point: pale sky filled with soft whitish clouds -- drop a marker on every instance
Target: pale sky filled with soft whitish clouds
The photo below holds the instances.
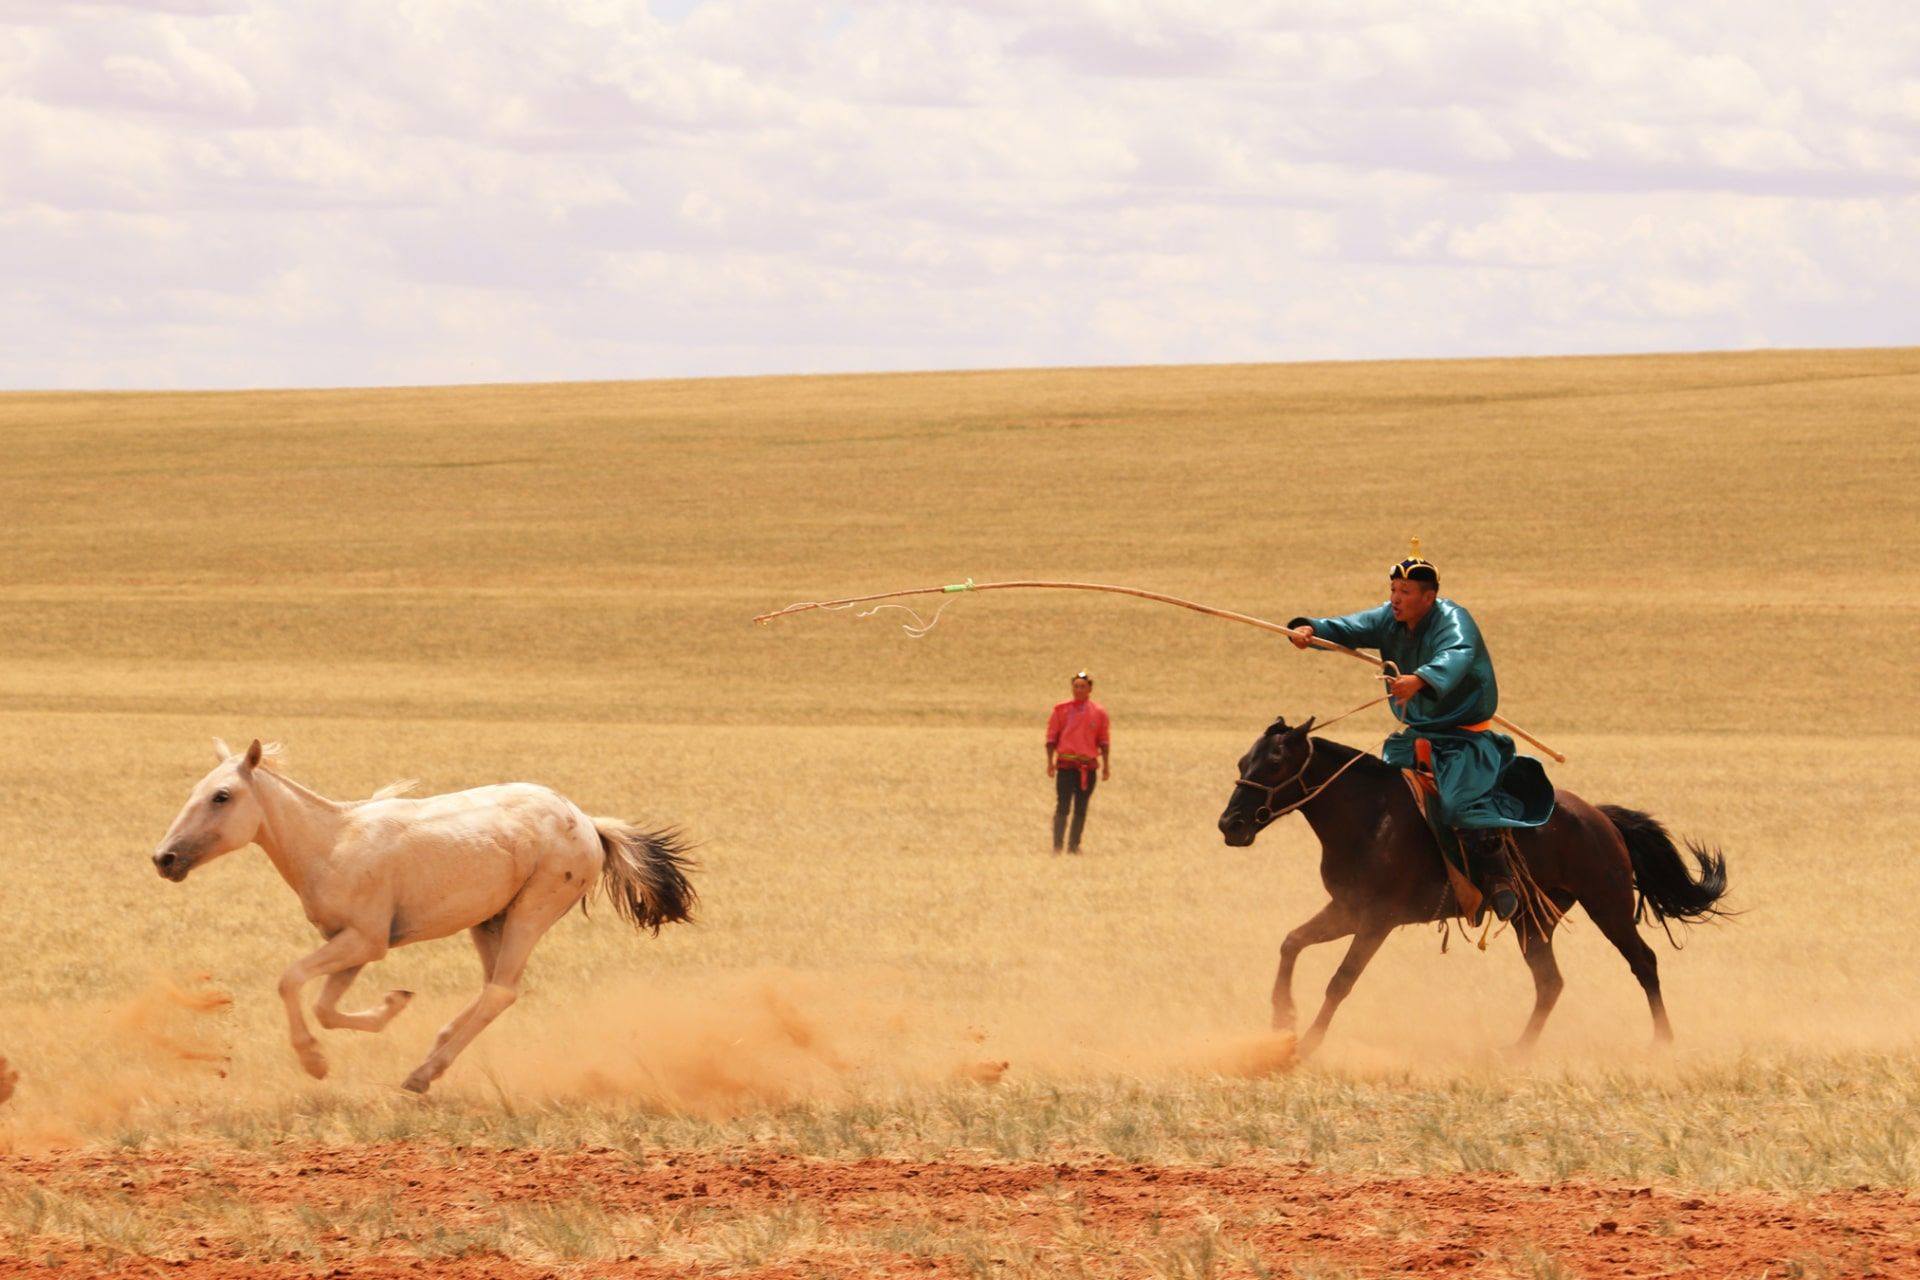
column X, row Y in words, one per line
column 370, row 193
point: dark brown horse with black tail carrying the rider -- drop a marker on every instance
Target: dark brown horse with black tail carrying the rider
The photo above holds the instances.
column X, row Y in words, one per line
column 1381, row 866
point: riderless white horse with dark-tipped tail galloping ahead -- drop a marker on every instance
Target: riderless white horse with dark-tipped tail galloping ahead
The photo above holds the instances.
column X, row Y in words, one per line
column 502, row 863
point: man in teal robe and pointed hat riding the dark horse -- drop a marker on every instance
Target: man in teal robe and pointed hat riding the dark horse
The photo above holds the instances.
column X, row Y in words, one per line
column 1441, row 684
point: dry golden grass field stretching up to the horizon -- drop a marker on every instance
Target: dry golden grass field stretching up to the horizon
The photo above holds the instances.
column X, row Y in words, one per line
column 1691, row 571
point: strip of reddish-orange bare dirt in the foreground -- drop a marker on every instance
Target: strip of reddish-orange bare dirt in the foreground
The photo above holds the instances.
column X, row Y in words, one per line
column 1464, row 1225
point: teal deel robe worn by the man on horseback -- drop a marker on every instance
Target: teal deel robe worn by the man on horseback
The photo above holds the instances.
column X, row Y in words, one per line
column 1483, row 782
